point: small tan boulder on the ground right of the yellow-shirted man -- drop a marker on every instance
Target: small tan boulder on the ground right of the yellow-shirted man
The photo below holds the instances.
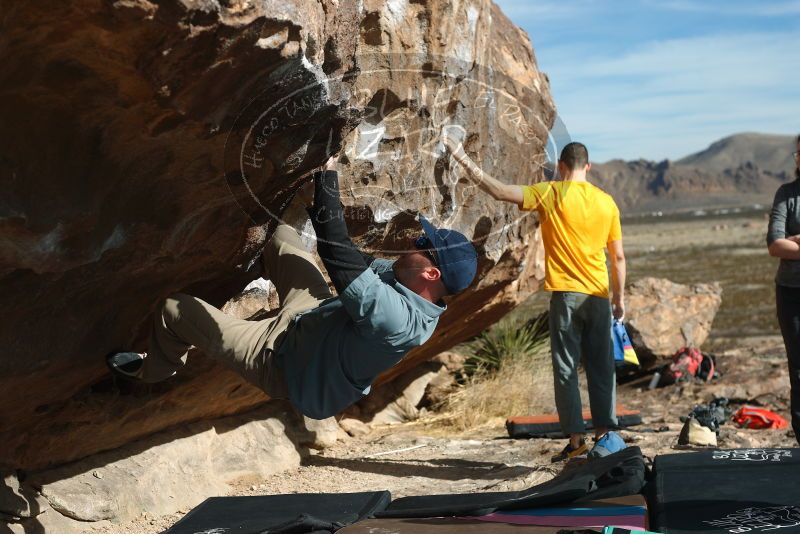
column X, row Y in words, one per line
column 662, row 316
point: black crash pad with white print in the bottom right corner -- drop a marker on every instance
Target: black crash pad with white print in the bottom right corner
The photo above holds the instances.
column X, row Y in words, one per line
column 726, row 491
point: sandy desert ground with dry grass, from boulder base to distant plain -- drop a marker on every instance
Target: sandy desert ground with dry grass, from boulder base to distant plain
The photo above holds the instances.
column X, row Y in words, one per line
column 436, row 454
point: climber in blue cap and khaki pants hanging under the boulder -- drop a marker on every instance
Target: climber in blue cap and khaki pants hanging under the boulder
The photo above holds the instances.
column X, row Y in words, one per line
column 320, row 351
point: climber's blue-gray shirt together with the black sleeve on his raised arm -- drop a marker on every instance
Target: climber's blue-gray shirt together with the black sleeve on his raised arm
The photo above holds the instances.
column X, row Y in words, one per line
column 332, row 354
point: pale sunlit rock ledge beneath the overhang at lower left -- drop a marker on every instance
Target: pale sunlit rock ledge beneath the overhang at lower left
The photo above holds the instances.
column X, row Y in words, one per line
column 169, row 471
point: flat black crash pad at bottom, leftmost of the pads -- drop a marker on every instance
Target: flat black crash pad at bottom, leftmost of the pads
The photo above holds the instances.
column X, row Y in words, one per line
column 290, row 514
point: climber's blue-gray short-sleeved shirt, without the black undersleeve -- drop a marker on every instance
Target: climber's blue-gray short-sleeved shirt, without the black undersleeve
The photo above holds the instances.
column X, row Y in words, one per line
column 333, row 353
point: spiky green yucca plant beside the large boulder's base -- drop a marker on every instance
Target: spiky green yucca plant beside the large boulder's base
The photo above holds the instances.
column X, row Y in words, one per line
column 507, row 340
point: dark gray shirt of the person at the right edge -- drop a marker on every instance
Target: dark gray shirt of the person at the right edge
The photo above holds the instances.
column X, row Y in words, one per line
column 784, row 221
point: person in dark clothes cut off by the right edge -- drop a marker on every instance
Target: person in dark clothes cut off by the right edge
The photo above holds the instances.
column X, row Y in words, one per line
column 783, row 241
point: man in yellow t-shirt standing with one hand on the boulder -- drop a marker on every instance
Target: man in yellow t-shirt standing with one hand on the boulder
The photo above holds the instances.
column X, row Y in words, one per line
column 578, row 222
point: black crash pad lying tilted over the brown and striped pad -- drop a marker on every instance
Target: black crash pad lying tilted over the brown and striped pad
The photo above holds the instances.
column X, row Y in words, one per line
column 617, row 475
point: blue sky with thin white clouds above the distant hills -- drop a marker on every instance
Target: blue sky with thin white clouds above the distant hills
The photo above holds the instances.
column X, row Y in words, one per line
column 664, row 78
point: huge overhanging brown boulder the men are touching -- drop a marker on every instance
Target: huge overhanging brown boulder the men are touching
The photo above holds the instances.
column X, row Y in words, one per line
column 147, row 148
